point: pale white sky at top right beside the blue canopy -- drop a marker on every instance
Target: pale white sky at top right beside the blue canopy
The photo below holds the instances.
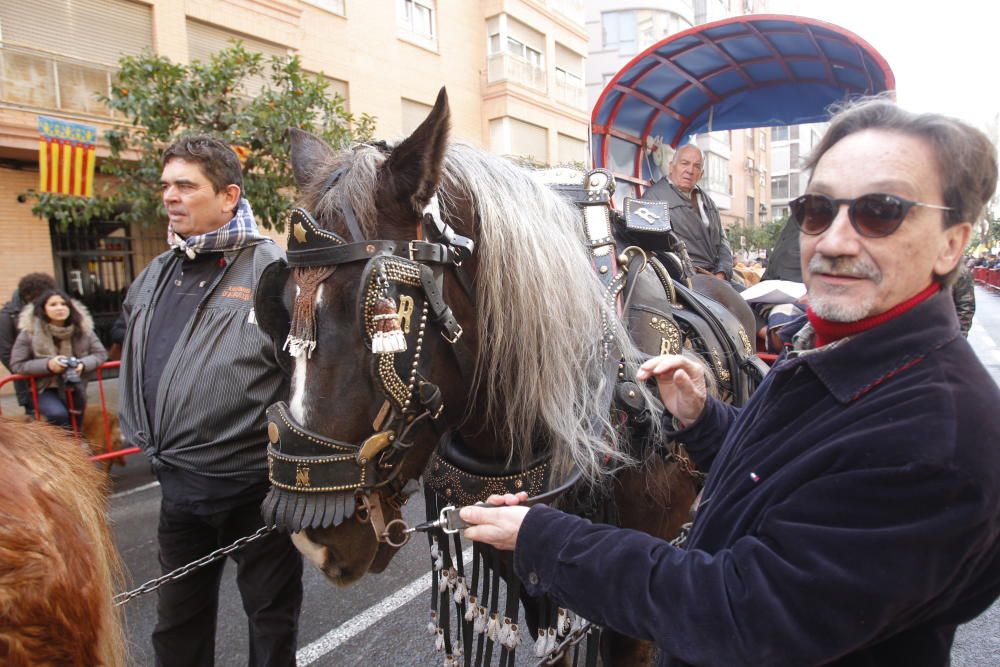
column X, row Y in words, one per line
column 945, row 55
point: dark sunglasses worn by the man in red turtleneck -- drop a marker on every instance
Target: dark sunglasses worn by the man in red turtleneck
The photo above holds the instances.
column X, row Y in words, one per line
column 872, row 215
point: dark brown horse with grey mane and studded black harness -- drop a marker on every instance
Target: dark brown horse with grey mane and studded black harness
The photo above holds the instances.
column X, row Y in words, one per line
column 460, row 330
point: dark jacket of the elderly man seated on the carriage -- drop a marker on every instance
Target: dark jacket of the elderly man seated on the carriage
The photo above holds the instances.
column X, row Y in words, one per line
column 706, row 244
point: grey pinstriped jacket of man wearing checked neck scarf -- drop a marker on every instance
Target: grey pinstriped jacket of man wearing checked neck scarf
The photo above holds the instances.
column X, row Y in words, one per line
column 218, row 381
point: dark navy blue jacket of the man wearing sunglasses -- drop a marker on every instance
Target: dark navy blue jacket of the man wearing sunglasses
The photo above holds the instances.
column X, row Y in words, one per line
column 851, row 515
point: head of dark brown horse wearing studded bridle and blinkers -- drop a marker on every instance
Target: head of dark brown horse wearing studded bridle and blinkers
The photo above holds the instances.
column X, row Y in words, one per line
column 376, row 314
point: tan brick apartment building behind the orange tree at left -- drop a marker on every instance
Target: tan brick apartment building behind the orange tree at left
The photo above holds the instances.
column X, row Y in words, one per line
column 513, row 69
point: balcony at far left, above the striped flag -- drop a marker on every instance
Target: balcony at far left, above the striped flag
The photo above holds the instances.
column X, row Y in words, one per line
column 33, row 78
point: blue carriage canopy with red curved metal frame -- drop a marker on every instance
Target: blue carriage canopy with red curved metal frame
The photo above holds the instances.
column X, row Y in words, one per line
column 748, row 71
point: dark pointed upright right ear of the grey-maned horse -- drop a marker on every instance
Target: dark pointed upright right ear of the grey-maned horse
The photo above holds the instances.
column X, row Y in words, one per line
column 414, row 167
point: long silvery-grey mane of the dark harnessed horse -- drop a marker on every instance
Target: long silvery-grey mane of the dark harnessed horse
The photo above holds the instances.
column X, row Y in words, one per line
column 542, row 325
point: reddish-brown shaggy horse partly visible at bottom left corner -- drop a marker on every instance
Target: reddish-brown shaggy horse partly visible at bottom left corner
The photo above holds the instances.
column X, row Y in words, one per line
column 58, row 563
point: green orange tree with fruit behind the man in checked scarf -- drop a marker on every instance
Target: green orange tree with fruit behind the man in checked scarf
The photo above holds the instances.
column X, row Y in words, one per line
column 238, row 96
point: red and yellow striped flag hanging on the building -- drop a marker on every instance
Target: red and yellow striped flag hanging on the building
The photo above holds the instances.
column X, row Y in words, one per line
column 66, row 152
